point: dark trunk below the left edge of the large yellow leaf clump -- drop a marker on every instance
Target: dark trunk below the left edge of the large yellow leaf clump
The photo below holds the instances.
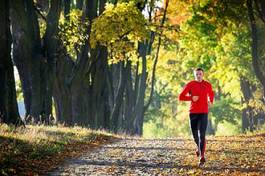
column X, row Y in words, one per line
column 99, row 71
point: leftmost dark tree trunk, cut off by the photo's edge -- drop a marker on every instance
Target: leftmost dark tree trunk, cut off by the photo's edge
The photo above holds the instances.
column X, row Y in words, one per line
column 8, row 102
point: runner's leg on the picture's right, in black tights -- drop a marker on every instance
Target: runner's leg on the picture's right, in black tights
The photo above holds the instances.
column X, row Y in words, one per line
column 202, row 130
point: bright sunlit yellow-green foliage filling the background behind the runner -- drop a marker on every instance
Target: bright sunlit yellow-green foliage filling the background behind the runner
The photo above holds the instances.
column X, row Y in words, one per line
column 212, row 36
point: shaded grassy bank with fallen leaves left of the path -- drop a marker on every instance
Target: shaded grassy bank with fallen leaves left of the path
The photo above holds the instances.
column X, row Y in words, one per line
column 35, row 150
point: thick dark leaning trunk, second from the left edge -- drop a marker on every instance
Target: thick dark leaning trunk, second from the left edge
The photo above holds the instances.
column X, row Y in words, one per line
column 27, row 55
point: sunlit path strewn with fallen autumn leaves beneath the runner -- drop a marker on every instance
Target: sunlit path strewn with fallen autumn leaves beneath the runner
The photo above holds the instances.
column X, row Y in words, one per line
column 241, row 155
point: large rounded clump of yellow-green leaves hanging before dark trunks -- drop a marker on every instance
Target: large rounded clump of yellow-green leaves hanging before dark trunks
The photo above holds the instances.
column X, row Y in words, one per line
column 124, row 26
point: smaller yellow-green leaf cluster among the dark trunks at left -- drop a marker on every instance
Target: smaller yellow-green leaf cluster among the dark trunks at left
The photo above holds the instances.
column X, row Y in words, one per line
column 73, row 33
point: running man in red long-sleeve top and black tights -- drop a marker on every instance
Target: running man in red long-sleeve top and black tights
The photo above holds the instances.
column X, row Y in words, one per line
column 201, row 95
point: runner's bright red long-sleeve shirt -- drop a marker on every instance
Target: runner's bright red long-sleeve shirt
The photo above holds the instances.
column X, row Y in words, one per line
column 202, row 89
